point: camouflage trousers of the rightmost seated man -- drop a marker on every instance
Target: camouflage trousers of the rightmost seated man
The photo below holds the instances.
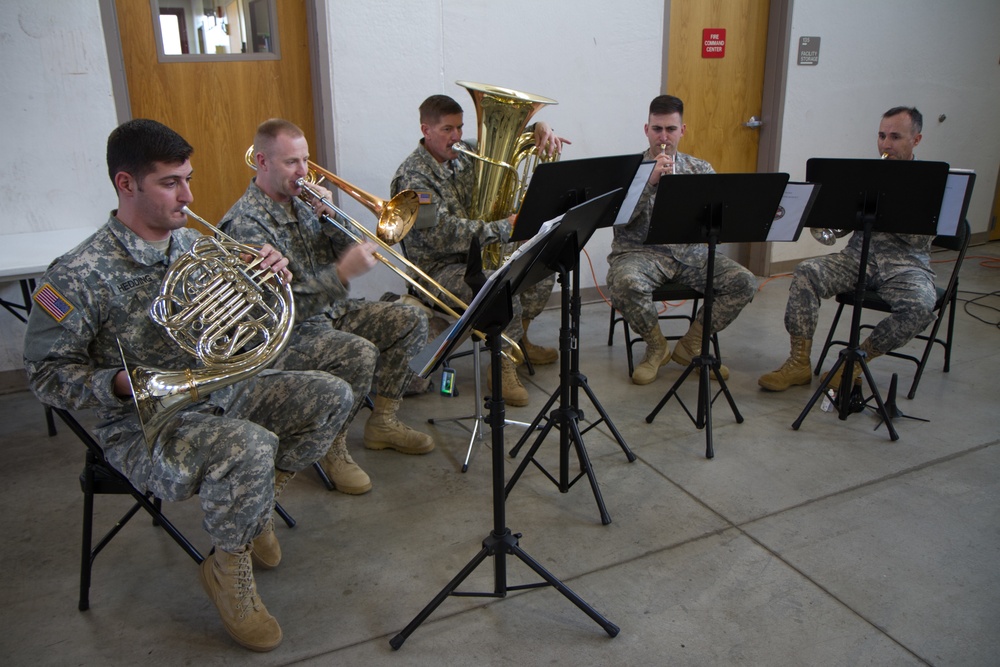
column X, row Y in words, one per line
column 909, row 290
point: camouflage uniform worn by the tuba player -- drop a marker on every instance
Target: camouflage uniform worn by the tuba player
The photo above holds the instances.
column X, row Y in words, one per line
column 441, row 250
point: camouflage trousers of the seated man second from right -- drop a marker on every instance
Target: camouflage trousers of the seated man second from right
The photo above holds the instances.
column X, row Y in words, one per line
column 632, row 277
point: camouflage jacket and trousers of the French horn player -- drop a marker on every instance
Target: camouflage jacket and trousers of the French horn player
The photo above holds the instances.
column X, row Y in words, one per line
column 99, row 293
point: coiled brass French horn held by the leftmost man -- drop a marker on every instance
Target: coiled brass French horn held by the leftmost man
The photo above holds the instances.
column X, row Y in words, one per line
column 233, row 316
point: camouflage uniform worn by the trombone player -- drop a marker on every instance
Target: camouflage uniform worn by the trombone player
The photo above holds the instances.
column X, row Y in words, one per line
column 346, row 337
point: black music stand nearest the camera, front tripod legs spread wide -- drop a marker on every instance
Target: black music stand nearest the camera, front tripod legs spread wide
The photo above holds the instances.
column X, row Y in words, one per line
column 491, row 311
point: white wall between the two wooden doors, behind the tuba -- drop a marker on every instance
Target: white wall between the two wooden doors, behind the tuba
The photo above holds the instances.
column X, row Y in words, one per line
column 600, row 61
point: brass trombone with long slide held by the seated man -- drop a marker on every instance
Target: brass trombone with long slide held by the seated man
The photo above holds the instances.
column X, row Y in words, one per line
column 395, row 219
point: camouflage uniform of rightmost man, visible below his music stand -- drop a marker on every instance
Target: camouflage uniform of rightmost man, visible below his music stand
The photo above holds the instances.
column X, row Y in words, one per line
column 898, row 270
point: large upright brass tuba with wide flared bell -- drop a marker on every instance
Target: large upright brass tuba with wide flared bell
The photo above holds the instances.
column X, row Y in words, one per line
column 506, row 155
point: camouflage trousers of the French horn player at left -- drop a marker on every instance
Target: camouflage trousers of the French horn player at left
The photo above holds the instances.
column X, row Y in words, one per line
column 226, row 449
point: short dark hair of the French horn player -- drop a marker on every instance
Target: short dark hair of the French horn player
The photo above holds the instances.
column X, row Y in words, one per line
column 137, row 145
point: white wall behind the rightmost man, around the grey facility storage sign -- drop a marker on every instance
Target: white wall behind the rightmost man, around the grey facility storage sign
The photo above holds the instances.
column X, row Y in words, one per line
column 940, row 57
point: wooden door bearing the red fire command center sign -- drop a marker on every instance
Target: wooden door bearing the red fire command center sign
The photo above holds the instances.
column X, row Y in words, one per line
column 719, row 94
